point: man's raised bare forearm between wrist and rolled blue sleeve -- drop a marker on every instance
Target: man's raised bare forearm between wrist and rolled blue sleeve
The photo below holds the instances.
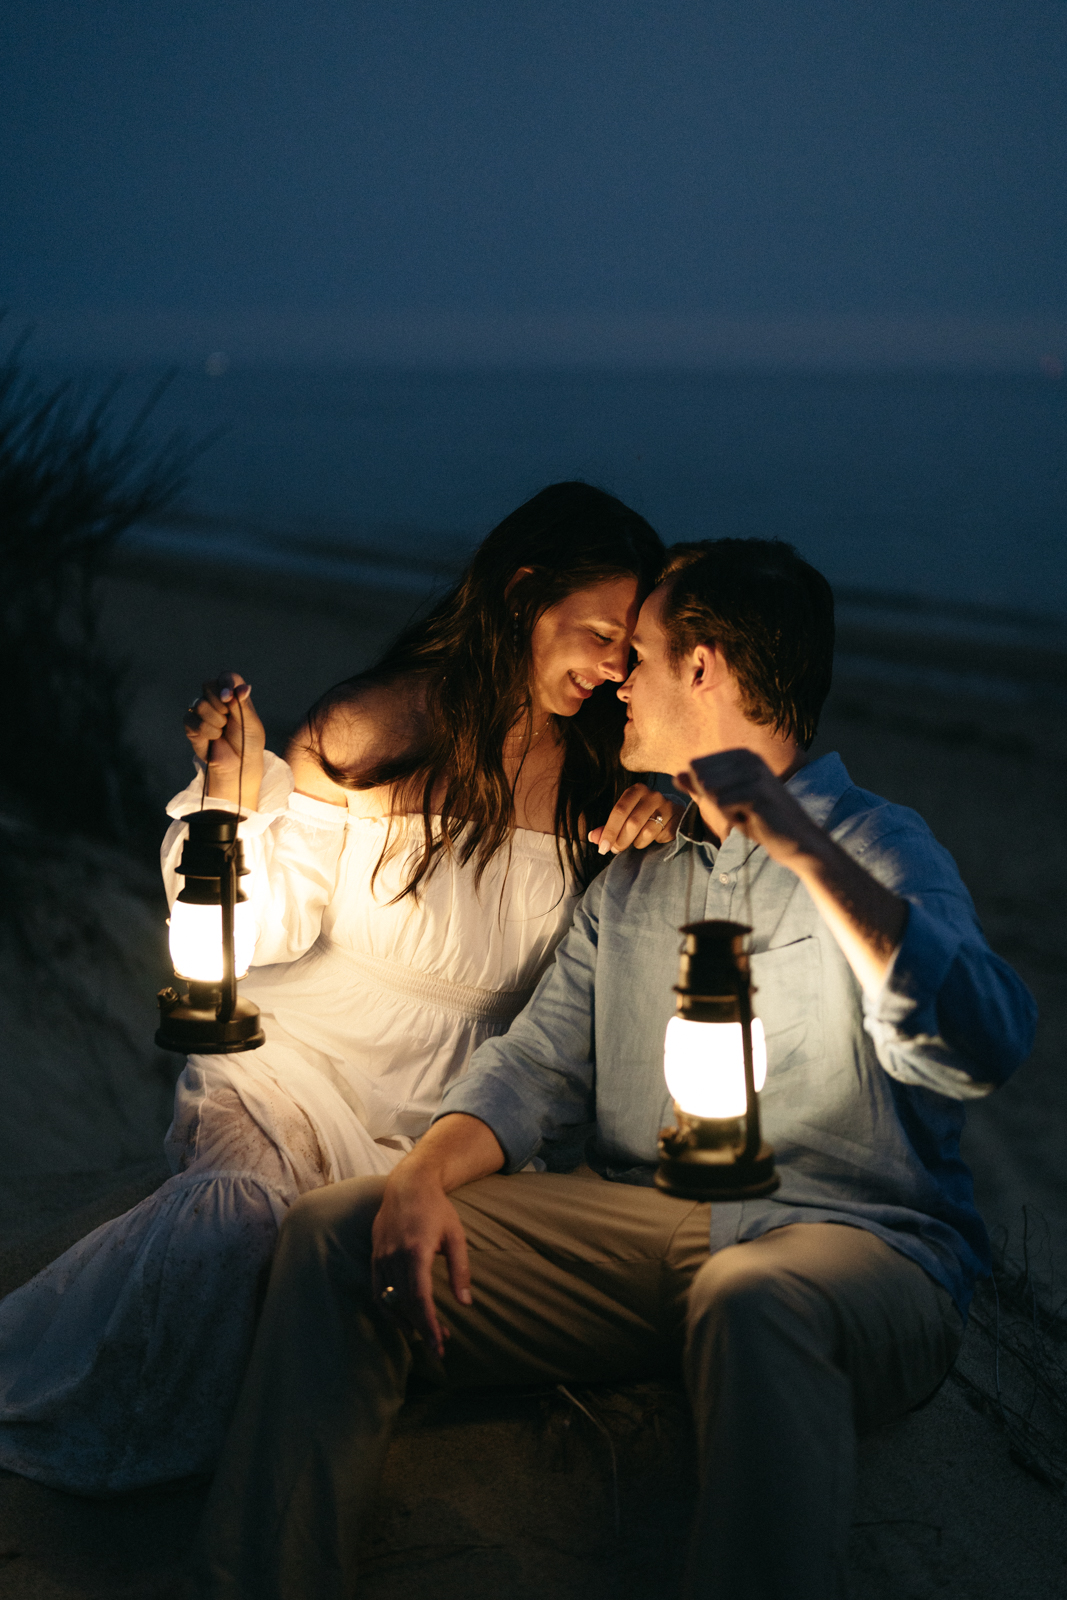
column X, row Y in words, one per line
column 866, row 919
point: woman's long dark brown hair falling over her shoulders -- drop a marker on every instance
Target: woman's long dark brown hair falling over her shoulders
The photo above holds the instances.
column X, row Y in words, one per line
column 474, row 655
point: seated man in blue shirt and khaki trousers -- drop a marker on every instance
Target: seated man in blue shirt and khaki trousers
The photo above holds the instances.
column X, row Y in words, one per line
column 834, row 1305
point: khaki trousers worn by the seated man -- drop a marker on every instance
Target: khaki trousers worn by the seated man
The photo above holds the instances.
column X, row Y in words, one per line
column 788, row 1343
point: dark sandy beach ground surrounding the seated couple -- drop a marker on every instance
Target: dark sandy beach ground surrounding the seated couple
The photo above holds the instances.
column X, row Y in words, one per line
column 518, row 1495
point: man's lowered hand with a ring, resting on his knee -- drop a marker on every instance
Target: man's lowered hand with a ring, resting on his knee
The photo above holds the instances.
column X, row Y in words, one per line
column 418, row 1222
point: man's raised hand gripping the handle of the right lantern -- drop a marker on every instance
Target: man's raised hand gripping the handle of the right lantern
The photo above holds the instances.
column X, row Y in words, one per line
column 746, row 793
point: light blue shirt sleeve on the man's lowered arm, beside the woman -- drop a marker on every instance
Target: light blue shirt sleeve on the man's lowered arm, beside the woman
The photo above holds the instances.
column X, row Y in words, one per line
column 537, row 1084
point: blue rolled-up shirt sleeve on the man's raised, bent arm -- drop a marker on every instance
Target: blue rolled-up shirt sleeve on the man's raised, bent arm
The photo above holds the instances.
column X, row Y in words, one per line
column 951, row 1017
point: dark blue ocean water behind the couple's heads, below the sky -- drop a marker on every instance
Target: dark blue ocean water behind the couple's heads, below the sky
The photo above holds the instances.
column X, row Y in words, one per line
column 948, row 492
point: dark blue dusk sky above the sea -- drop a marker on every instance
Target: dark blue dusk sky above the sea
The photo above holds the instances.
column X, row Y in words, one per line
column 852, row 180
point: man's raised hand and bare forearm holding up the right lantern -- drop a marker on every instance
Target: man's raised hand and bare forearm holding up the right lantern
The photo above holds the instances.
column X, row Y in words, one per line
column 866, row 919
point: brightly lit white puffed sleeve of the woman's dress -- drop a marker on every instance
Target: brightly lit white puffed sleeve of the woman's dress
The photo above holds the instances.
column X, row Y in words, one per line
column 292, row 850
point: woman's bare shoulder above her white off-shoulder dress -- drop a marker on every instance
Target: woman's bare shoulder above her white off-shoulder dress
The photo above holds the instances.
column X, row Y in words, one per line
column 358, row 729
